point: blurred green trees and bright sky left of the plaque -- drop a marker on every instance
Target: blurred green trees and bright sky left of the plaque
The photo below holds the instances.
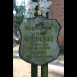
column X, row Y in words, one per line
column 18, row 14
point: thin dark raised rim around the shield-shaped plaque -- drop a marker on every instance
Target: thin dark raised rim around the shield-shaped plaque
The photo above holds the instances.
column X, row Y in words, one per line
column 21, row 39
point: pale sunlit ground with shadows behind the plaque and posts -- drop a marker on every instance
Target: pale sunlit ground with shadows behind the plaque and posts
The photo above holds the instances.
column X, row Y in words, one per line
column 23, row 69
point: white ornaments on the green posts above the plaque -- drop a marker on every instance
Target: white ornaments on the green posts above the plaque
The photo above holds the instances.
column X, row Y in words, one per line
column 44, row 5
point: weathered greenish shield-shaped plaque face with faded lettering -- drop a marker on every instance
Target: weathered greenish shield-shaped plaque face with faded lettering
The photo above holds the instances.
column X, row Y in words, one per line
column 39, row 40
